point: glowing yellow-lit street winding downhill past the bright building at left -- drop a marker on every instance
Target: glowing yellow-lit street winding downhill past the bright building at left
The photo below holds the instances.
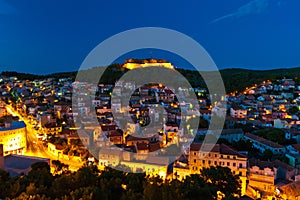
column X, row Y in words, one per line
column 36, row 147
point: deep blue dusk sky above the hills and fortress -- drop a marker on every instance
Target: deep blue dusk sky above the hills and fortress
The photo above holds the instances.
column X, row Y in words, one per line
column 50, row 36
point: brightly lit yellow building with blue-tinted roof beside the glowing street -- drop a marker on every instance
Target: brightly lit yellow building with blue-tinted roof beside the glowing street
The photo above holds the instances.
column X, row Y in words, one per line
column 13, row 138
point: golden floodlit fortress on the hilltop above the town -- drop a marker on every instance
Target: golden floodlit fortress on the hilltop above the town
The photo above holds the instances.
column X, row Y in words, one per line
column 142, row 63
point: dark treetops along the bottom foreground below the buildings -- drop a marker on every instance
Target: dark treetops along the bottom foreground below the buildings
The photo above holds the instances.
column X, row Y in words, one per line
column 89, row 183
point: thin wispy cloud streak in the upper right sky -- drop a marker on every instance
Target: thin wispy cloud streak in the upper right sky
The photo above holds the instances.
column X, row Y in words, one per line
column 253, row 7
